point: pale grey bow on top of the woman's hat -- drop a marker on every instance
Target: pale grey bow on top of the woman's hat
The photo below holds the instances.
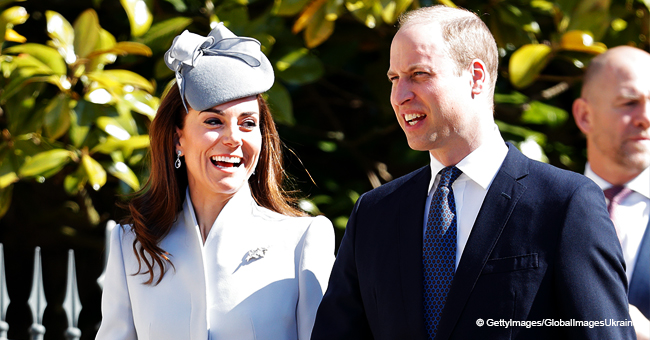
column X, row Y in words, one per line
column 188, row 47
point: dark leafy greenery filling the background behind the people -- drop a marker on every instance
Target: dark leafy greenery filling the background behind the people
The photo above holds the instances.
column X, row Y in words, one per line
column 330, row 102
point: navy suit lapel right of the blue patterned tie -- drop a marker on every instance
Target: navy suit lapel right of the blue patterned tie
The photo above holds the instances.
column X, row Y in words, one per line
column 502, row 197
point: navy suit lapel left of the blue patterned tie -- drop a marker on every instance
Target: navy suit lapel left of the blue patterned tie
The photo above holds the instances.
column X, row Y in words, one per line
column 412, row 199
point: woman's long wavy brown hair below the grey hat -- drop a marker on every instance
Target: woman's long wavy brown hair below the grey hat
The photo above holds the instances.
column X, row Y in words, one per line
column 154, row 208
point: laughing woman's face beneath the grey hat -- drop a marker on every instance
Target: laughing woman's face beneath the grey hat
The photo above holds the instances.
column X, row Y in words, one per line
column 221, row 146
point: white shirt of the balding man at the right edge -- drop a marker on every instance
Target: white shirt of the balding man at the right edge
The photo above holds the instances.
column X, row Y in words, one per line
column 631, row 215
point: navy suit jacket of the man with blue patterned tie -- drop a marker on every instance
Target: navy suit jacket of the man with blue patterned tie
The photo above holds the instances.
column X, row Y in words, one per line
column 542, row 247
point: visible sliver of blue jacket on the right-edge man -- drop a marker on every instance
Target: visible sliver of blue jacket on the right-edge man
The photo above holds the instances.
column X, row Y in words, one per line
column 639, row 294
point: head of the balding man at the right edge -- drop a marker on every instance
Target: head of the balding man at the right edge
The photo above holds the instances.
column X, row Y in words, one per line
column 619, row 124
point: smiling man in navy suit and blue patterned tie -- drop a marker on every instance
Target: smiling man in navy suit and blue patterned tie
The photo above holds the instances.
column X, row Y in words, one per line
column 483, row 233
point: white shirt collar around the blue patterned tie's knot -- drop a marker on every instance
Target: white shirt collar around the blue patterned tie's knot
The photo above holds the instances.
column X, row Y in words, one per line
column 481, row 165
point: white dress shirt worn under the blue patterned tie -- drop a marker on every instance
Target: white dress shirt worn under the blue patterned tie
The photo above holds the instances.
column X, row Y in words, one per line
column 479, row 169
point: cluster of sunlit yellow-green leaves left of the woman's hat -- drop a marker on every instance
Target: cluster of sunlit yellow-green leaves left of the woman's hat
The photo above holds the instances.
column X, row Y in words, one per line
column 49, row 128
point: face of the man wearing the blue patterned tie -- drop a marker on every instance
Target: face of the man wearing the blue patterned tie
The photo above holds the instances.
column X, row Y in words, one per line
column 429, row 98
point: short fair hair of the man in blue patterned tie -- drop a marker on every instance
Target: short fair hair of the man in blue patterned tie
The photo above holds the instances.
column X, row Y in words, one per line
column 465, row 34
